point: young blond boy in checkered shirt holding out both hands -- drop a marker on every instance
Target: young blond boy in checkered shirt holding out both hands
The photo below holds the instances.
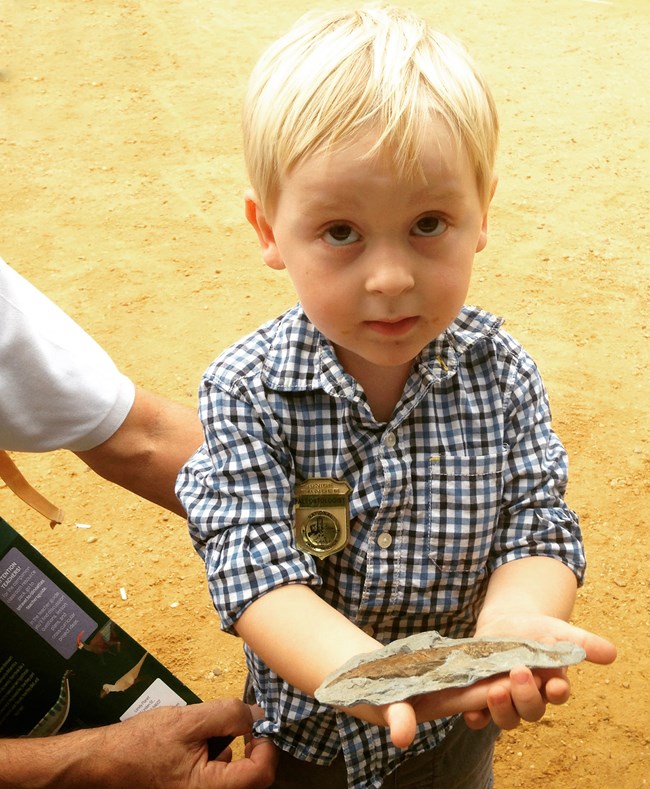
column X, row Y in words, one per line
column 379, row 461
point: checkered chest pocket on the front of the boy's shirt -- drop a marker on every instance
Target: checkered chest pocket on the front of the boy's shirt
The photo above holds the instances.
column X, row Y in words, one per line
column 463, row 505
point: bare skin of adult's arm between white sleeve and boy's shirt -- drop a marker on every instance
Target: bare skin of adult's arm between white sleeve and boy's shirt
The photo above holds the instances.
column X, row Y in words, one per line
column 147, row 451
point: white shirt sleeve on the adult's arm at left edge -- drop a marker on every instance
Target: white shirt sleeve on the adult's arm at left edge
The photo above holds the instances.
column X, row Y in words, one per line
column 58, row 387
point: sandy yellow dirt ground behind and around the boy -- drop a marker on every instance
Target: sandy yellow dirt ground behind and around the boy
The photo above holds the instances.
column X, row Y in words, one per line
column 121, row 199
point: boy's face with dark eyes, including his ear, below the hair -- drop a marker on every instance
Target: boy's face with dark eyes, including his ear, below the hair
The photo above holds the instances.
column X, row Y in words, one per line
column 381, row 264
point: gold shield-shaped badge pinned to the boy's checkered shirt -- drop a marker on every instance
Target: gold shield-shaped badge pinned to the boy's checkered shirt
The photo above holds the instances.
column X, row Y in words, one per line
column 322, row 516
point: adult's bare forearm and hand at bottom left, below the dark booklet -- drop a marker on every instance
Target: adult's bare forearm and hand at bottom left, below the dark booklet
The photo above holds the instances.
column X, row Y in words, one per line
column 165, row 748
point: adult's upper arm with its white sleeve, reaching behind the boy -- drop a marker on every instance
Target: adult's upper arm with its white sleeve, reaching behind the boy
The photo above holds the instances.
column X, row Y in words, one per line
column 60, row 389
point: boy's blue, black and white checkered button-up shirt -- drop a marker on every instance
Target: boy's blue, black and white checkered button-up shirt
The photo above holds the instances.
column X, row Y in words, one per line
column 466, row 476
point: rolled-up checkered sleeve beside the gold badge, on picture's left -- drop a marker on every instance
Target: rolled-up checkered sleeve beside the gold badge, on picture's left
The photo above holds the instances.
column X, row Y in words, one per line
column 238, row 494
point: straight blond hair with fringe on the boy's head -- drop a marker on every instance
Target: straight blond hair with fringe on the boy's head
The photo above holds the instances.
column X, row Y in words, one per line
column 338, row 75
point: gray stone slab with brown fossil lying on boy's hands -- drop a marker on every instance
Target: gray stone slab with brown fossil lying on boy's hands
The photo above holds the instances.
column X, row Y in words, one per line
column 427, row 662
